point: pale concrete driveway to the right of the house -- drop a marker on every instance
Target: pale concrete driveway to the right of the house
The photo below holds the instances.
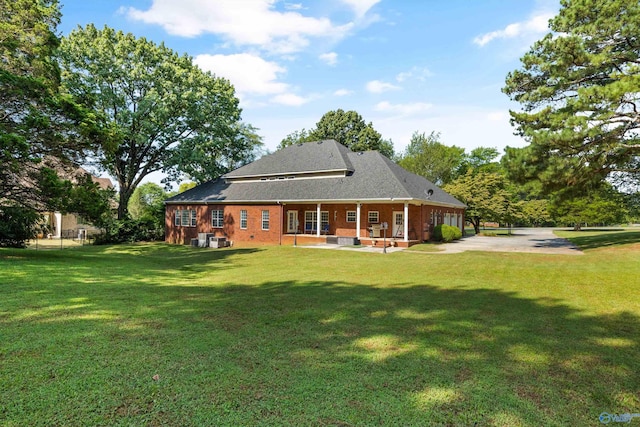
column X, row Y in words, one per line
column 531, row 240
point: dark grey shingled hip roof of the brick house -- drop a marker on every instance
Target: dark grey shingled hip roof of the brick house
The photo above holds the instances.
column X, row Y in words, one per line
column 299, row 173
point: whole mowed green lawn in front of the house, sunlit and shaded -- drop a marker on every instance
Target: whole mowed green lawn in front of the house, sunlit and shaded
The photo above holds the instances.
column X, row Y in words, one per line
column 153, row 334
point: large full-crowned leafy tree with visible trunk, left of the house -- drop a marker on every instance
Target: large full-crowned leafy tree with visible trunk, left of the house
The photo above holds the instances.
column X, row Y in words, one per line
column 159, row 111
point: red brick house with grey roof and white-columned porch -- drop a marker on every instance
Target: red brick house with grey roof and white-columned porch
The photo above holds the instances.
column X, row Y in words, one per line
column 314, row 192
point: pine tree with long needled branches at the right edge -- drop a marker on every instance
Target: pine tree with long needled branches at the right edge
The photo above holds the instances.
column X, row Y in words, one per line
column 580, row 87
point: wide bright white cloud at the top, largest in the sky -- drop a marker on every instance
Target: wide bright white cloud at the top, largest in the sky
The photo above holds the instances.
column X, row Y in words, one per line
column 244, row 23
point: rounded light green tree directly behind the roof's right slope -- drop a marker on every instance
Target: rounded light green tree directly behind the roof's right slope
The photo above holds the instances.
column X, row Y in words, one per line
column 428, row 157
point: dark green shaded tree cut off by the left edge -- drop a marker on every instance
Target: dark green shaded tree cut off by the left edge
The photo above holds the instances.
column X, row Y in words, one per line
column 42, row 133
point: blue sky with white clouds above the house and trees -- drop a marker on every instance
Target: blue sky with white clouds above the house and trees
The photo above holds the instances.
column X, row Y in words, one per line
column 405, row 66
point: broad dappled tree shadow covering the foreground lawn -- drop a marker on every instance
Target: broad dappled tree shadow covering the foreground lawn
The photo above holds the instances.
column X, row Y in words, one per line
column 311, row 353
